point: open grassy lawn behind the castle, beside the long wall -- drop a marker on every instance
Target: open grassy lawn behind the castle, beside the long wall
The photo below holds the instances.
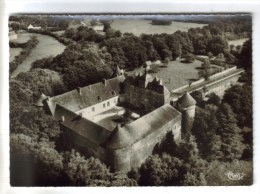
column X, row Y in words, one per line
column 177, row 74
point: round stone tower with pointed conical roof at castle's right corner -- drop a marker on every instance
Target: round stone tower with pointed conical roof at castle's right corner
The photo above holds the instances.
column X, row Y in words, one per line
column 186, row 104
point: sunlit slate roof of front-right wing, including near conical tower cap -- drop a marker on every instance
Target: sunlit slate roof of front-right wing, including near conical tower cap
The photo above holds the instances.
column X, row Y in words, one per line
column 129, row 134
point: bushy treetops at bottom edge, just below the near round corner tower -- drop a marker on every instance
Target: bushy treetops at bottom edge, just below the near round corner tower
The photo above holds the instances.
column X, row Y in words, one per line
column 92, row 172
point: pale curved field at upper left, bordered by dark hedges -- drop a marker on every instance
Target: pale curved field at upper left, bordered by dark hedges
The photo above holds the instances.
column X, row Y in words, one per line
column 47, row 46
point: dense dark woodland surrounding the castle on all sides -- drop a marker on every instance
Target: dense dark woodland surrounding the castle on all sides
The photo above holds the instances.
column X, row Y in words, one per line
column 220, row 140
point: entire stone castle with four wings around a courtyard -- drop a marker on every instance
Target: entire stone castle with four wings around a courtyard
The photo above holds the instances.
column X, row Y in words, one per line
column 120, row 120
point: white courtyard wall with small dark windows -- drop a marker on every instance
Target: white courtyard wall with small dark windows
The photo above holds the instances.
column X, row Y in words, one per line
column 99, row 108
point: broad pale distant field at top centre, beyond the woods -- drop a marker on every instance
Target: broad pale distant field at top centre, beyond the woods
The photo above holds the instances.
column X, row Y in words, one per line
column 139, row 27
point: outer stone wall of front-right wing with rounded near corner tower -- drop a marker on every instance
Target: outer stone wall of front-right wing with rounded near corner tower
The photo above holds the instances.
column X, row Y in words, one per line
column 133, row 156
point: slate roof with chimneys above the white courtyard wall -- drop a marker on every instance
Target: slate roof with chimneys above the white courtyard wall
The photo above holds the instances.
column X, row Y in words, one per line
column 81, row 98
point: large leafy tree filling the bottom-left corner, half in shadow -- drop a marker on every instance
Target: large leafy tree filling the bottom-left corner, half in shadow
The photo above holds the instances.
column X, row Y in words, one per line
column 41, row 161
